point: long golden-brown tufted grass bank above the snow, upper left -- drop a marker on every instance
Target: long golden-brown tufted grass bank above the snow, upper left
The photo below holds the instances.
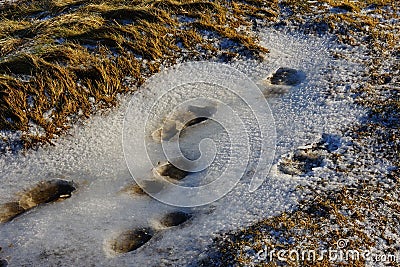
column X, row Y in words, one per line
column 56, row 56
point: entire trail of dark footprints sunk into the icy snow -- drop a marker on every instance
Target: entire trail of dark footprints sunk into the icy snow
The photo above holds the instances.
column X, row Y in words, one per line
column 131, row 239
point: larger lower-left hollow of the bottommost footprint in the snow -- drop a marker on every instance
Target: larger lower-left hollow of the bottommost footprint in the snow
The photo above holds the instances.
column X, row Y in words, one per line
column 131, row 240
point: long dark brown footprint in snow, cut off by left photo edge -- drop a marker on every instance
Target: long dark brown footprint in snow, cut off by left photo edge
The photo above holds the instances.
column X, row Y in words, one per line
column 43, row 192
